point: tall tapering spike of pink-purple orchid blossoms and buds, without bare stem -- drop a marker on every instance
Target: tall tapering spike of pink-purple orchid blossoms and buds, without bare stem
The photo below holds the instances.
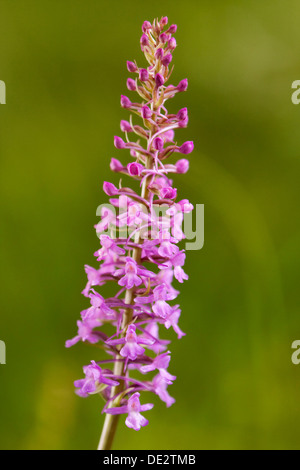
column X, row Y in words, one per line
column 143, row 264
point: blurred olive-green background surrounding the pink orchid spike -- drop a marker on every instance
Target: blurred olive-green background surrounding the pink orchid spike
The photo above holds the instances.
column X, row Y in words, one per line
column 64, row 64
